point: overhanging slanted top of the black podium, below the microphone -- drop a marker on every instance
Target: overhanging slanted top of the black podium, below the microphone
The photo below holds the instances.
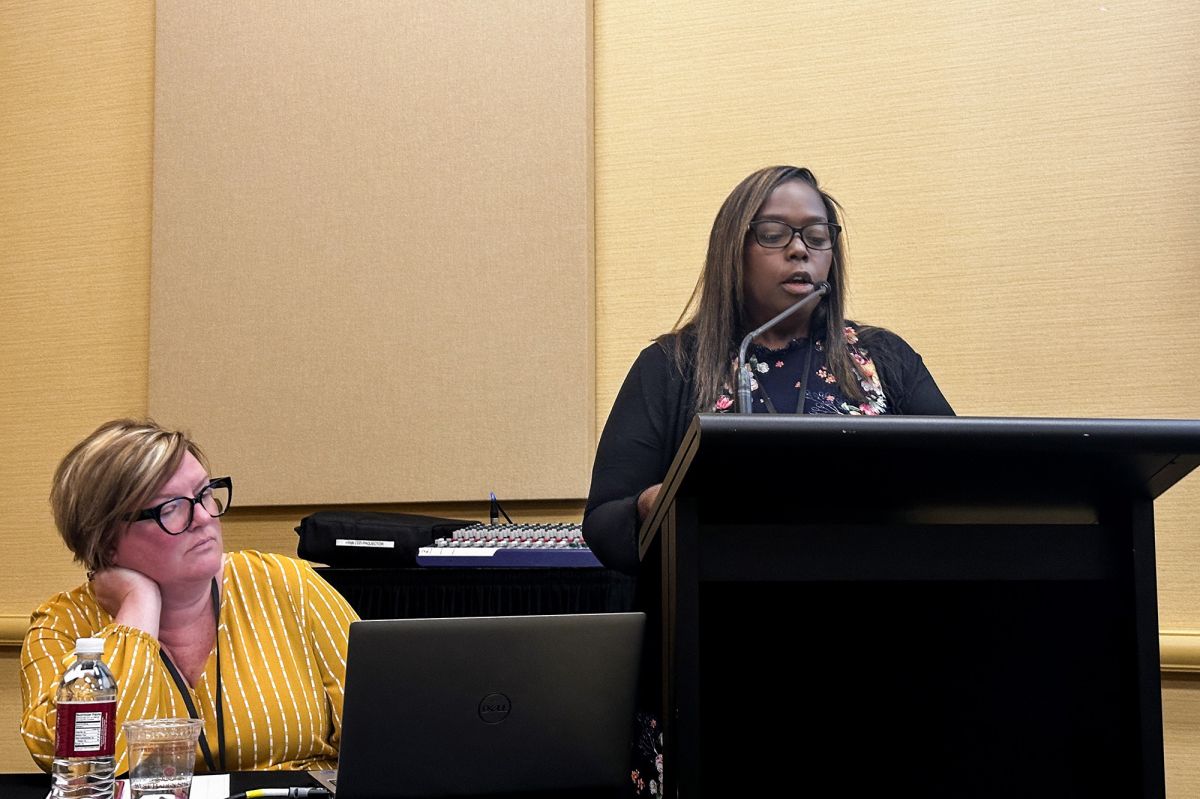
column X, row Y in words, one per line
column 893, row 461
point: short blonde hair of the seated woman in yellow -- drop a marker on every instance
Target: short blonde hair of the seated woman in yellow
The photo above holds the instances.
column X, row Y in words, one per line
column 110, row 476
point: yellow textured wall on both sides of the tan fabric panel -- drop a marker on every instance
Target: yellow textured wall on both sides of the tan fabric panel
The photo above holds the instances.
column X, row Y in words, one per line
column 1019, row 182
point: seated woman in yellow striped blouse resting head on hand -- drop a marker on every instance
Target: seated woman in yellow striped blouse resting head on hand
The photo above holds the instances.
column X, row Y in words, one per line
column 253, row 644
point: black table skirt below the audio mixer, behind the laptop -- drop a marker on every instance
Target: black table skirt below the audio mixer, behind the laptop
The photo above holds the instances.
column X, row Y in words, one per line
column 452, row 592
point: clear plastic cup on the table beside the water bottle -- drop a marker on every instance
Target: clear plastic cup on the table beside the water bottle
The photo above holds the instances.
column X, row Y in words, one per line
column 163, row 755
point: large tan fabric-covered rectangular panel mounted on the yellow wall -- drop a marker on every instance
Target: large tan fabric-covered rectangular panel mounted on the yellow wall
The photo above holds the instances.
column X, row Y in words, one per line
column 373, row 247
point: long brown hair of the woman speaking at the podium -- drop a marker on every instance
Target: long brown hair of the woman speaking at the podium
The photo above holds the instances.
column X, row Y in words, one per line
column 709, row 332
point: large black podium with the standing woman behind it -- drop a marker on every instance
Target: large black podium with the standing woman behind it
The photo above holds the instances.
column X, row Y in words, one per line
column 914, row 606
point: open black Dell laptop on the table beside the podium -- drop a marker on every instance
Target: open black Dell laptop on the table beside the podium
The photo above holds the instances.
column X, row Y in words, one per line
column 458, row 707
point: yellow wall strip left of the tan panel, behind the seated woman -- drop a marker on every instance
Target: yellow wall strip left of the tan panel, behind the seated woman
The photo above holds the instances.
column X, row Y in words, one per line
column 76, row 133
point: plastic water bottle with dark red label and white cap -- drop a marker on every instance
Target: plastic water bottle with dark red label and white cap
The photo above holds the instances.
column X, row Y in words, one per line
column 87, row 725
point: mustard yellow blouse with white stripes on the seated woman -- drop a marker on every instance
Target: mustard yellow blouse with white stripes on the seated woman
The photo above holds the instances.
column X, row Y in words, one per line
column 283, row 636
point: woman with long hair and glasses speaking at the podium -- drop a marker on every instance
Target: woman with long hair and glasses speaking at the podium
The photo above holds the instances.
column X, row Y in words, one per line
column 776, row 239
